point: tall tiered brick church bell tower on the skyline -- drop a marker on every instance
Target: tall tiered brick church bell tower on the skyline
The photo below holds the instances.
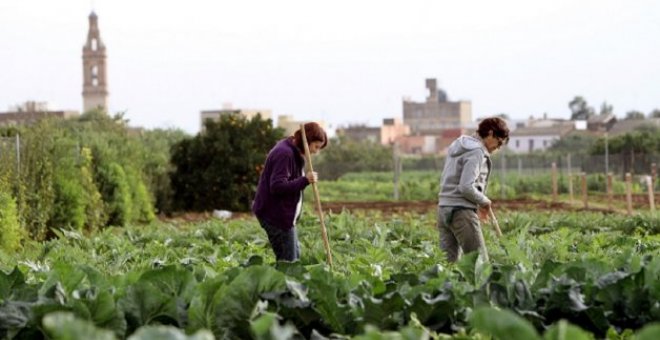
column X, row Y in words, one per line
column 95, row 84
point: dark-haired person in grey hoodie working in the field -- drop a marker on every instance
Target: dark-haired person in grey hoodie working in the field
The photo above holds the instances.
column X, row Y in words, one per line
column 462, row 199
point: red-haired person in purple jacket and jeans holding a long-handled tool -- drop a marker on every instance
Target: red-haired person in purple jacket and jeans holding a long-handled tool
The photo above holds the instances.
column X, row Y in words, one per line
column 278, row 201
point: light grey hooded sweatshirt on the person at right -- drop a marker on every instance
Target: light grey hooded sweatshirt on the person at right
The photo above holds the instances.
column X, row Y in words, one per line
column 465, row 176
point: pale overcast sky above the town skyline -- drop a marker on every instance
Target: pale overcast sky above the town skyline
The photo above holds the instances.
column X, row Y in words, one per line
column 343, row 61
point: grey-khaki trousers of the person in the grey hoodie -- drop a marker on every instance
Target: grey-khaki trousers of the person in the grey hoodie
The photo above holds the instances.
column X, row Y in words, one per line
column 460, row 231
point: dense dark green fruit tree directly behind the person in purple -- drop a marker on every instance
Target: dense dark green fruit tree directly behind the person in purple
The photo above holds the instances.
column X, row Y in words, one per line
column 220, row 167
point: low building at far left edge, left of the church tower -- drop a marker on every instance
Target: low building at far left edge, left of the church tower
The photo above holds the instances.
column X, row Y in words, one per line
column 31, row 112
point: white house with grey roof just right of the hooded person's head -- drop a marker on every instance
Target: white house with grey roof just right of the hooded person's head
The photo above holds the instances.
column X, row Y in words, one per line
column 530, row 139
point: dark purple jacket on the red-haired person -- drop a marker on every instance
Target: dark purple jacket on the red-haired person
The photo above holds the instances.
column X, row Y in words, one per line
column 280, row 185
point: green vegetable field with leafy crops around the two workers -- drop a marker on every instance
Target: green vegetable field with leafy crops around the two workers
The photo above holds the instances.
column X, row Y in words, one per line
column 560, row 271
